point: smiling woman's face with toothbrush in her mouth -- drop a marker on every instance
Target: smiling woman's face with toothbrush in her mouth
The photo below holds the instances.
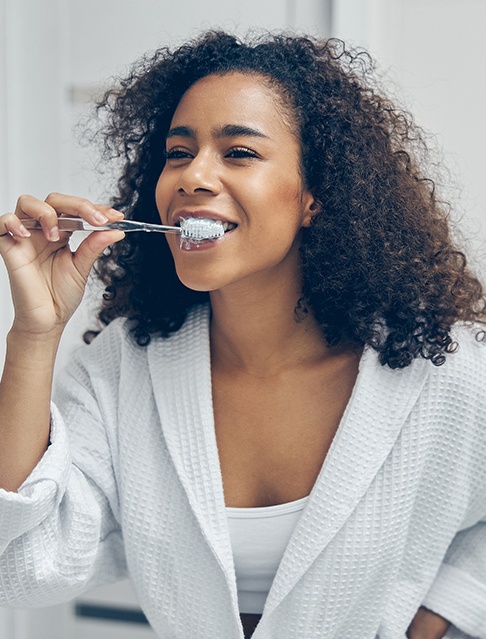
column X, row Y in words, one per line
column 233, row 155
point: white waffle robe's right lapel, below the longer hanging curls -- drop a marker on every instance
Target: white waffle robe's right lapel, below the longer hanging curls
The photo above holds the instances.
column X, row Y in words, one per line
column 381, row 401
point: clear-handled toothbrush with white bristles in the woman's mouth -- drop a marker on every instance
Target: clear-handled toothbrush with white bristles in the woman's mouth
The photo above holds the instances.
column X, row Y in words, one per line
column 192, row 229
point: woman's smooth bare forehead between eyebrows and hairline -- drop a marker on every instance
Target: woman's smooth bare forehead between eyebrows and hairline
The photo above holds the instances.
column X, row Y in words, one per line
column 241, row 98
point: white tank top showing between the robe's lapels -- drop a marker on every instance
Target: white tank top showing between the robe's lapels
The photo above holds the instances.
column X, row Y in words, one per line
column 259, row 537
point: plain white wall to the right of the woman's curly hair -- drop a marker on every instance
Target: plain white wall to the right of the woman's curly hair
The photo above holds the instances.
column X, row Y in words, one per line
column 435, row 52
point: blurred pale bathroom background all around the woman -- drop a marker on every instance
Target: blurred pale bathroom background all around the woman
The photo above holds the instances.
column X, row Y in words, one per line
column 55, row 55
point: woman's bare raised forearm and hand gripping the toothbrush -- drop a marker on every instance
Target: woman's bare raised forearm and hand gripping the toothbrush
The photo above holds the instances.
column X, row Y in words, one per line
column 47, row 282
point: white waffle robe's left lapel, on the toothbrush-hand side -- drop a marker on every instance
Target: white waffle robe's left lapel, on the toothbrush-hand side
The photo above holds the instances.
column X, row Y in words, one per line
column 181, row 374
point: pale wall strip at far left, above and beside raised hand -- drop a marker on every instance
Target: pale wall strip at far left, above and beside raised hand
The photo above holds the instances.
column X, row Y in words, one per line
column 33, row 122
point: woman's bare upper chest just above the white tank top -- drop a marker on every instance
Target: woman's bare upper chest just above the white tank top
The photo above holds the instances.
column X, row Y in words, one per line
column 273, row 434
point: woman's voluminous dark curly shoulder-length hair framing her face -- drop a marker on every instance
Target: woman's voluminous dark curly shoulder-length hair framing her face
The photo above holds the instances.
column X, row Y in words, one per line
column 379, row 266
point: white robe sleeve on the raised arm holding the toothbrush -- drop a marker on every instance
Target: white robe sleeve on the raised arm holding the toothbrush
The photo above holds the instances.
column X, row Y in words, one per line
column 60, row 533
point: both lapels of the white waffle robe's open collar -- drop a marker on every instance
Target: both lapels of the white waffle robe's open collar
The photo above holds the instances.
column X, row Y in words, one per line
column 381, row 400
